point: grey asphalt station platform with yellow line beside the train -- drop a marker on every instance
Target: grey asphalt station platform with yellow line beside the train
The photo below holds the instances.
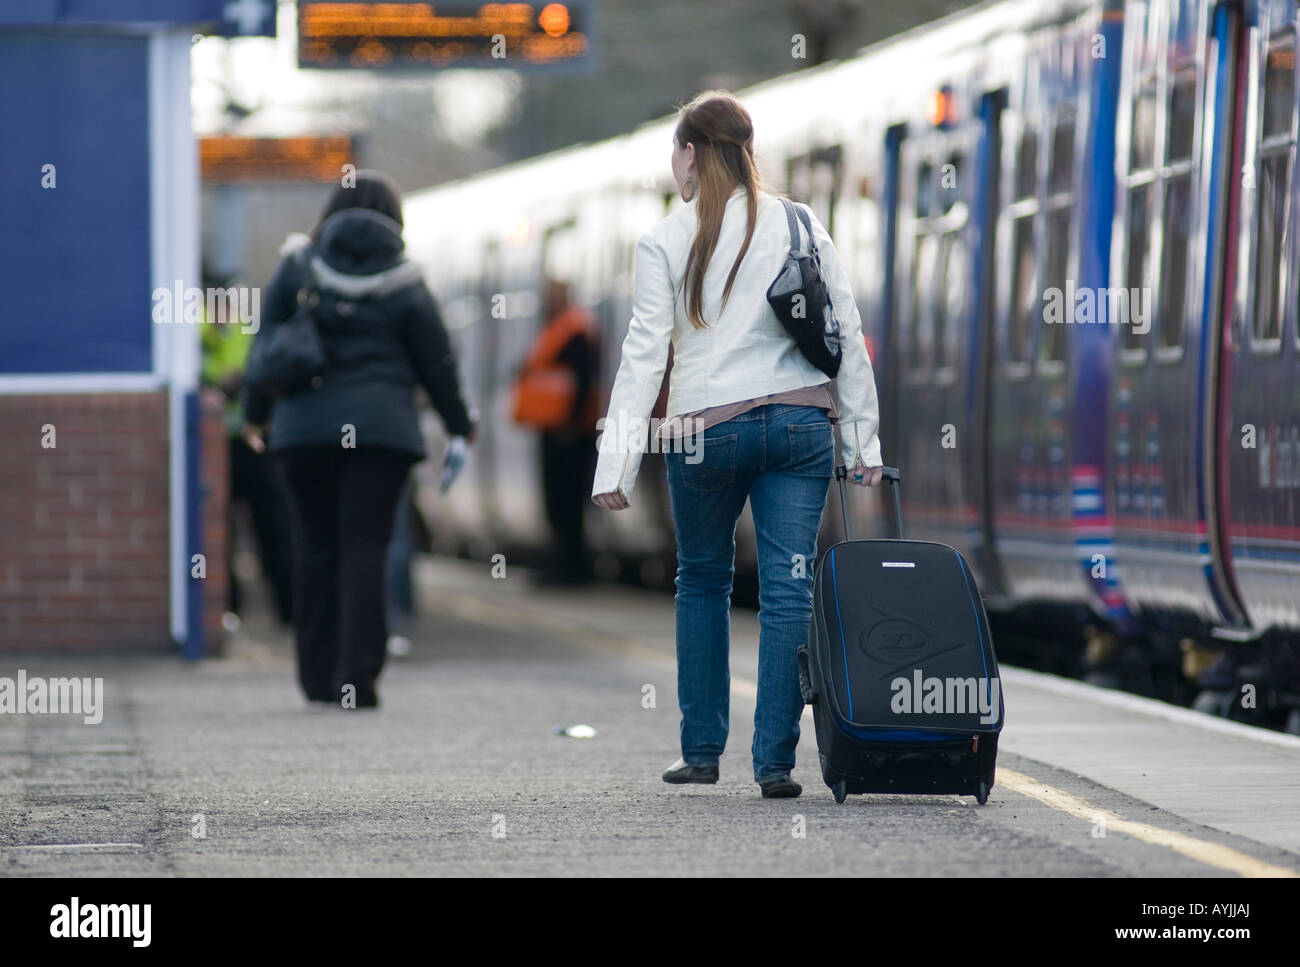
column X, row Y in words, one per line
column 220, row 769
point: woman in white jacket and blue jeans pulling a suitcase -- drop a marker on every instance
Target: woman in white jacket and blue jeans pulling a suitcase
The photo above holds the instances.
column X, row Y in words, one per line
column 761, row 417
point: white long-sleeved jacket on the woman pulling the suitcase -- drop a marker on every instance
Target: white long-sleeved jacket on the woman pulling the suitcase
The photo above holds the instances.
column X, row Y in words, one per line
column 743, row 354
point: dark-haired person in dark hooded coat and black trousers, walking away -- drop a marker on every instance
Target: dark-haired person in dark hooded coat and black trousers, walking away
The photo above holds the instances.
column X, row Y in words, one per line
column 346, row 445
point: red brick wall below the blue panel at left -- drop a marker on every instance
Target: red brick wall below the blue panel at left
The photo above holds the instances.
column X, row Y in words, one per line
column 85, row 523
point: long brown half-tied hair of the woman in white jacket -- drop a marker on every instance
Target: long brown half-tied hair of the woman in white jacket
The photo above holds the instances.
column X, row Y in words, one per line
column 723, row 135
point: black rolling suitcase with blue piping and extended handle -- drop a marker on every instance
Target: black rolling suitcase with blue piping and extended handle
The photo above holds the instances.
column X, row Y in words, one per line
column 900, row 667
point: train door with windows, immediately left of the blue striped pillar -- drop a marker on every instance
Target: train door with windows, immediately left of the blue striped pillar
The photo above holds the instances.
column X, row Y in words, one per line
column 1042, row 418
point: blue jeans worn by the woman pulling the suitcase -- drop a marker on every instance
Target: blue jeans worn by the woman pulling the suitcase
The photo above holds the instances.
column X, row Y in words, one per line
column 781, row 458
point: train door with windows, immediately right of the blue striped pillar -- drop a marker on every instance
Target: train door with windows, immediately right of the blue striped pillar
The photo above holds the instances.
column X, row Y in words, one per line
column 1163, row 323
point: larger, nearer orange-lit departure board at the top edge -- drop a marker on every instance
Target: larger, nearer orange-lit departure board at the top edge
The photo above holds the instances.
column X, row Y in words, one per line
column 344, row 34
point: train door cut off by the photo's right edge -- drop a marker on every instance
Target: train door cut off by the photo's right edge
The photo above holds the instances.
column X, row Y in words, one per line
column 1258, row 409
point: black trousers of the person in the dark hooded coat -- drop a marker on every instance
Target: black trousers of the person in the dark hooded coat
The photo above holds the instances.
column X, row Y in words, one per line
column 344, row 504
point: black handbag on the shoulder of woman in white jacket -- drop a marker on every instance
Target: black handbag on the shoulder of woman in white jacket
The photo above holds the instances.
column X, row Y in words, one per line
column 801, row 300
